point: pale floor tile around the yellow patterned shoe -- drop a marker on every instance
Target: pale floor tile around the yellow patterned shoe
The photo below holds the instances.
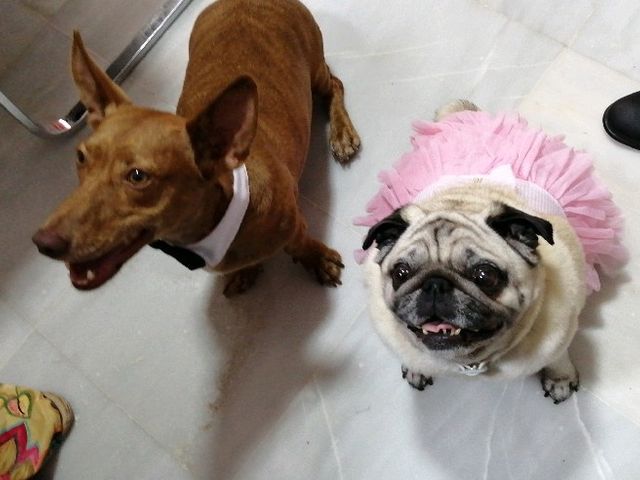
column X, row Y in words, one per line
column 104, row 442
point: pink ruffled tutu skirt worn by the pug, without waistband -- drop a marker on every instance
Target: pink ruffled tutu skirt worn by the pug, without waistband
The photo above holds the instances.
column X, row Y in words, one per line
column 474, row 143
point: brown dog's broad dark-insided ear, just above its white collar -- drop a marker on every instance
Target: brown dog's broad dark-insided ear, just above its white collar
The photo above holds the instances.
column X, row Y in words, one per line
column 225, row 129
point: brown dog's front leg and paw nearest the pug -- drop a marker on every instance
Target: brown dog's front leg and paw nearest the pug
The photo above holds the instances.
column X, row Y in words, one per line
column 322, row 261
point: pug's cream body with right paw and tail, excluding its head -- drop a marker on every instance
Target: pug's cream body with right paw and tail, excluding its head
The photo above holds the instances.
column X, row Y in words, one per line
column 542, row 334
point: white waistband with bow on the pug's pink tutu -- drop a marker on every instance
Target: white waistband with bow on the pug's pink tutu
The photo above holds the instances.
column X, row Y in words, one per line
column 536, row 197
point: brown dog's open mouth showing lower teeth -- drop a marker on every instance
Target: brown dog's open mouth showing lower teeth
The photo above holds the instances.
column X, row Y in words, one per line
column 94, row 273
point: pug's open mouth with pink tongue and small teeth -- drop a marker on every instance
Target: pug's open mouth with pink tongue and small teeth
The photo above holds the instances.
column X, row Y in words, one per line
column 439, row 335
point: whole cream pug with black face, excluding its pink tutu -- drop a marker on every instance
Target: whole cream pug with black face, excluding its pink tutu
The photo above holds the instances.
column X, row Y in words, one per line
column 472, row 281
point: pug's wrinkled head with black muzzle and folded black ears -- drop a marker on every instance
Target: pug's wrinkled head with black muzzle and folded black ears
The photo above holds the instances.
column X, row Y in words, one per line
column 459, row 281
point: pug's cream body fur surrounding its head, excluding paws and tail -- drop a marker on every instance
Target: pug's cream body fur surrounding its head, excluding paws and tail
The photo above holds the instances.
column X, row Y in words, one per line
column 547, row 327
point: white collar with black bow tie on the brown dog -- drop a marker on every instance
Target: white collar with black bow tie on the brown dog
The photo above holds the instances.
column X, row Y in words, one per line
column 210, row 251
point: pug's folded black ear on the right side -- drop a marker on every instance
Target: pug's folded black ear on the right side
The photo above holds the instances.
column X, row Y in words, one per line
column 521, row 230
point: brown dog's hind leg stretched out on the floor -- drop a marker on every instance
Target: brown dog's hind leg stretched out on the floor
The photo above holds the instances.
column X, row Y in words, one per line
column 344, row 139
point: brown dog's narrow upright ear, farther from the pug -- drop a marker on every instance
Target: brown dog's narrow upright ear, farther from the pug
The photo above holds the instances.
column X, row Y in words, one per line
column 97, row 90
